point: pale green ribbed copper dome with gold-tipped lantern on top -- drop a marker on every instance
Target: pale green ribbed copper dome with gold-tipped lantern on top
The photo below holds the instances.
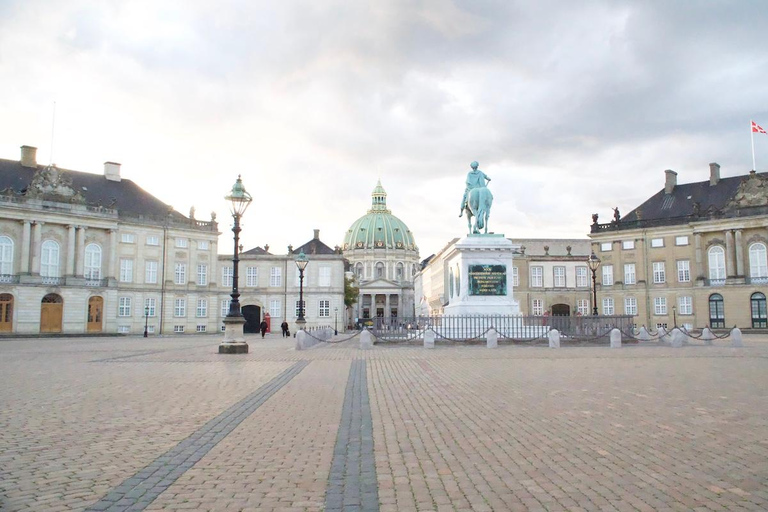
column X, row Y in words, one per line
column 379, row 229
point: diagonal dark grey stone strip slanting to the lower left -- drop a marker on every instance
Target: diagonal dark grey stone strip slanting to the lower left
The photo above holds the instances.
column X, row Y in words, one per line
column 139, row 491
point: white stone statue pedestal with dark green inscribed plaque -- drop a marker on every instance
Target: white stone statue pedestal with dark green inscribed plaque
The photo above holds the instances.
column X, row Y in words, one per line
column 479, row 269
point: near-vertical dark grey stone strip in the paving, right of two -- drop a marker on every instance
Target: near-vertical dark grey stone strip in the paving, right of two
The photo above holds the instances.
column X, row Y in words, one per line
column 352, row 483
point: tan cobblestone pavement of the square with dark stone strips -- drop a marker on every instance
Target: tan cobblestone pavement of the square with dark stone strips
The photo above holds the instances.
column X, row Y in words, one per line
column 454, row 428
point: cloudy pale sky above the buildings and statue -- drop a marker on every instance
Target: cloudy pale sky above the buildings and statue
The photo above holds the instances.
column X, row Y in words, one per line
column 571, row 107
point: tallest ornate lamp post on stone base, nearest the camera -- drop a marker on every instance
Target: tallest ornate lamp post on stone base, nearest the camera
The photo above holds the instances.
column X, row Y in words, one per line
column 234, row 340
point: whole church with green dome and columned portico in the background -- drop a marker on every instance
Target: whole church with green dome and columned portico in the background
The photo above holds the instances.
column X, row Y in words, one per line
column 384, row 257
